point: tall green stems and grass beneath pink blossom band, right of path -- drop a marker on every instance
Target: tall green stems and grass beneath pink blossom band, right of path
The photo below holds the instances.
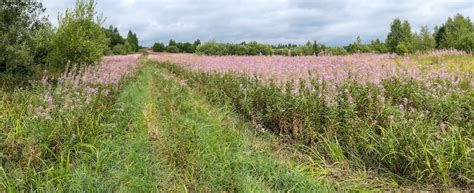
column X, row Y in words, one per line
column 415, row 130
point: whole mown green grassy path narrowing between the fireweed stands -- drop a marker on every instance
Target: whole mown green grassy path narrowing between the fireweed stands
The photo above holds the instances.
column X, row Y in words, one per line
column 162, row 136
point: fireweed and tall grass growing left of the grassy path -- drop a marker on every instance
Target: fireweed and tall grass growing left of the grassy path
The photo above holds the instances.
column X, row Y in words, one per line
column 43, row 128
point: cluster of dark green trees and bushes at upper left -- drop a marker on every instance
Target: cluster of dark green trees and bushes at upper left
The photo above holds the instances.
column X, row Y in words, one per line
column 29, row 42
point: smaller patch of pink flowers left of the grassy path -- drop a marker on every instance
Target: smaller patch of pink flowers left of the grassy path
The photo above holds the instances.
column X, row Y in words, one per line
column 78, row 88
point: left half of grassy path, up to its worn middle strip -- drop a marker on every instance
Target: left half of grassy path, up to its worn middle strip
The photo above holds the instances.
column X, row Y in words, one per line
column 123, row 159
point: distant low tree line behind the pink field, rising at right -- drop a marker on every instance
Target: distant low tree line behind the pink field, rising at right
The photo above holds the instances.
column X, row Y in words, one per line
column 455, row 33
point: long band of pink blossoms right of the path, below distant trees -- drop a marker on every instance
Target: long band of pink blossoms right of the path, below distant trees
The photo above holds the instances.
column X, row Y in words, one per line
column 364, row 68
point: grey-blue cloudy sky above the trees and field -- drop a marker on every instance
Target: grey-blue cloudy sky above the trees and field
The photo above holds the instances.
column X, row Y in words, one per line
column 272, row 21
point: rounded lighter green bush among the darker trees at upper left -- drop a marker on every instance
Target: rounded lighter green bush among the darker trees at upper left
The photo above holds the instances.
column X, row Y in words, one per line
column 79, row 39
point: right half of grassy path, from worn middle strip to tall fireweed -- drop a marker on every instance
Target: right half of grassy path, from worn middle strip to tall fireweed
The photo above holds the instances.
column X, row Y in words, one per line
column 208, row 147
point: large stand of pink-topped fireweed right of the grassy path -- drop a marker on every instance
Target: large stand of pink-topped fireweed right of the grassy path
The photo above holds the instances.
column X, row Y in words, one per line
column 408, row 117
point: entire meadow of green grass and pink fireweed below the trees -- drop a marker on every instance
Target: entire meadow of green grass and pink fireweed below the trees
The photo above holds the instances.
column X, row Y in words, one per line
column 184, row 122
